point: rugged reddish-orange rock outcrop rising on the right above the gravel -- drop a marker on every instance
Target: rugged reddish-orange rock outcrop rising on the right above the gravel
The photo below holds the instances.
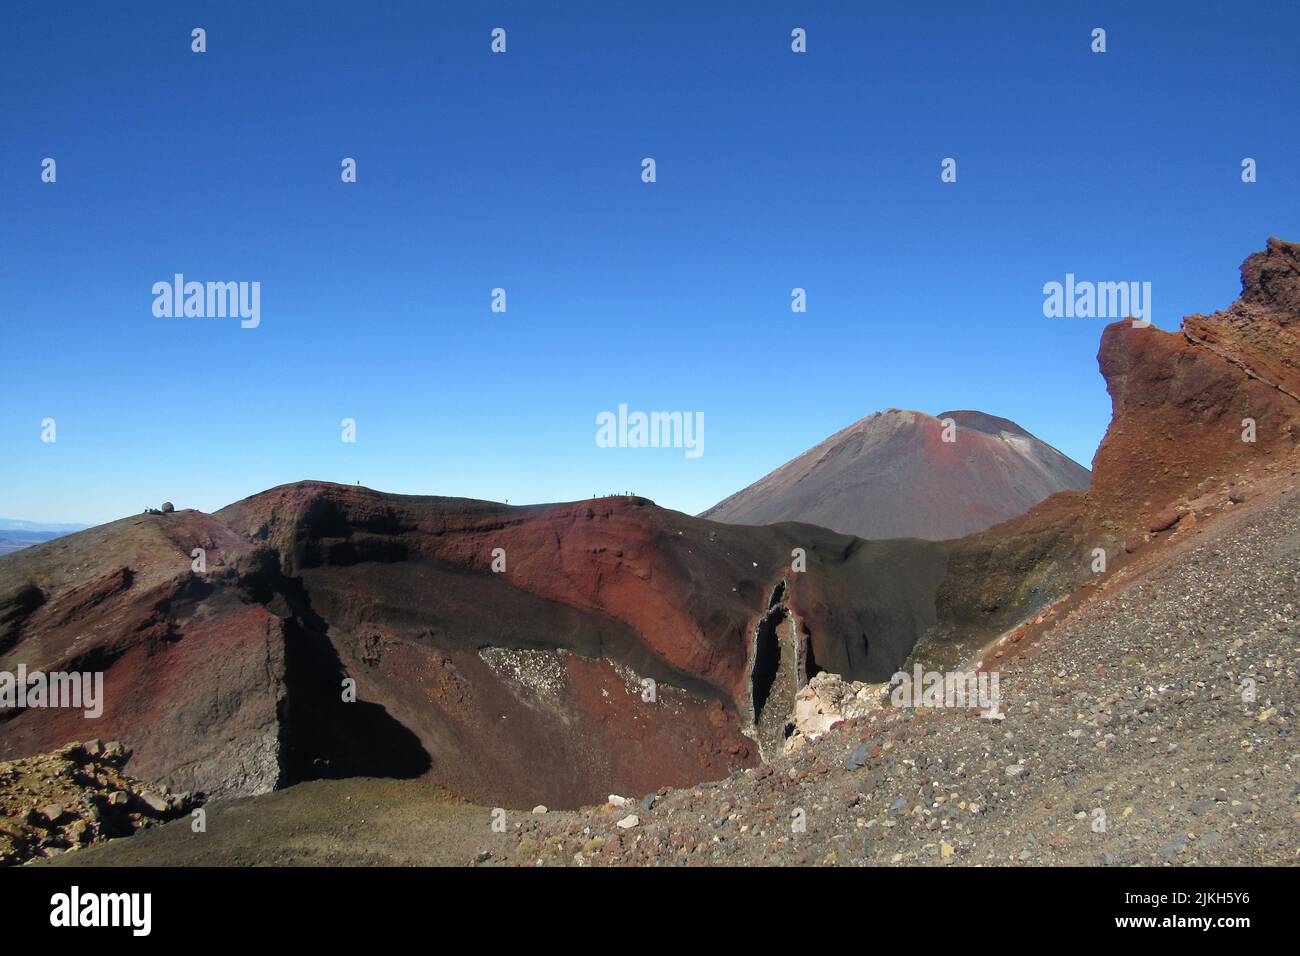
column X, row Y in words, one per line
column 1182, row 405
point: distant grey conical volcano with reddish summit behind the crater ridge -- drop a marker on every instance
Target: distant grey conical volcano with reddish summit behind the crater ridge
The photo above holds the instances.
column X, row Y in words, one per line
column 892, row 475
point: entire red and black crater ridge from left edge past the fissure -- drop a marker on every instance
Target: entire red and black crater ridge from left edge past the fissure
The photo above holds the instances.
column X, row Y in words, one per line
column 513, row 689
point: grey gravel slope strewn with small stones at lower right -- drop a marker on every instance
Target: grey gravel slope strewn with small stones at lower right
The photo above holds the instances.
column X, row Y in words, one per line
column 1126, row 741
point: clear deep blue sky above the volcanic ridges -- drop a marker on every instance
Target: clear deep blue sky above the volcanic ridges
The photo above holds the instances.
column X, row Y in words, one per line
column 523, row 171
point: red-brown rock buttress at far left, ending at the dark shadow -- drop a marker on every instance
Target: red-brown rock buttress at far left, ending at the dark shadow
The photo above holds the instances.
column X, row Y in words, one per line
column 194, row 676
